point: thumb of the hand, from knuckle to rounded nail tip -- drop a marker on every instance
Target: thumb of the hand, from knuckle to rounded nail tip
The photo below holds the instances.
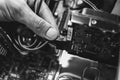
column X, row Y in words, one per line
column 38, row 24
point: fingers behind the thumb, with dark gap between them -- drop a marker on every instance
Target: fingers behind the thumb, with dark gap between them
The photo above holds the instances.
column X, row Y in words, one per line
column 42, row 10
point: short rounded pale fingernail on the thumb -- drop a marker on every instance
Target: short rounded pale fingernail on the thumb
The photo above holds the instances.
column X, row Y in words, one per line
column 52, row 34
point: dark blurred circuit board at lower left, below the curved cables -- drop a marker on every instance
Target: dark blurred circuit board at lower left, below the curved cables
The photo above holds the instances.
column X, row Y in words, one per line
column 16, row 66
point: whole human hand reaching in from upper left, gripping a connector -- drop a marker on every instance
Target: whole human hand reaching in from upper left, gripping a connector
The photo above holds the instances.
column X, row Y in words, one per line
column 43, row 24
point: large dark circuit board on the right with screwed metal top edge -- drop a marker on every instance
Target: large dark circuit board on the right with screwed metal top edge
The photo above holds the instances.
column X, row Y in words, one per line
column 94, row 35
